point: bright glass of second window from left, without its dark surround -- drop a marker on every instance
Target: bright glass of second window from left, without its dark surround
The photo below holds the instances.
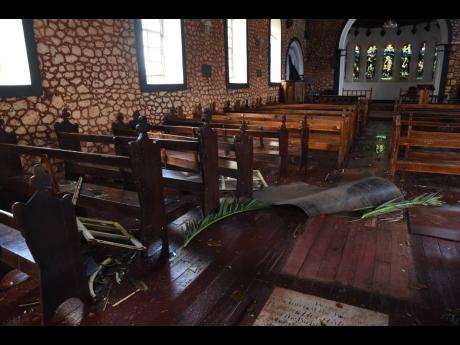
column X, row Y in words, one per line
column 163, row 51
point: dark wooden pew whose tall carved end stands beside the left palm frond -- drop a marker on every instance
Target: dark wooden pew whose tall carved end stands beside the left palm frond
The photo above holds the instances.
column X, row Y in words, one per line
column 146, row 203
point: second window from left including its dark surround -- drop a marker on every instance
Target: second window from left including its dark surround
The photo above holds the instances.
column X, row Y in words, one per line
column 161, row 55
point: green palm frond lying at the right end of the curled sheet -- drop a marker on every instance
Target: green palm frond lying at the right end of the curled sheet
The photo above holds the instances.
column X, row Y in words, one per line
column 426, row 199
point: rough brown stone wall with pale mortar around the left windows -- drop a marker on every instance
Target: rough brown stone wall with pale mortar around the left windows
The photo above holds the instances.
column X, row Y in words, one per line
column 90, row 66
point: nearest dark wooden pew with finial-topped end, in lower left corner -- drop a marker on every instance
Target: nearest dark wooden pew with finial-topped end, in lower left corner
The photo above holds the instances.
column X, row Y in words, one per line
column 42, row 240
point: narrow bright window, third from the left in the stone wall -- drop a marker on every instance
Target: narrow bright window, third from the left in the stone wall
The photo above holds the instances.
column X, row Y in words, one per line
column 237, row 54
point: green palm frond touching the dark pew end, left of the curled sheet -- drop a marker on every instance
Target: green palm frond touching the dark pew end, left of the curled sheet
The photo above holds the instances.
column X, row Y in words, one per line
column 228, row 207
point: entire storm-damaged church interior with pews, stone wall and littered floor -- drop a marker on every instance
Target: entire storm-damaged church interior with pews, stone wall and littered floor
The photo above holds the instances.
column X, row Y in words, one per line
column 230, row 172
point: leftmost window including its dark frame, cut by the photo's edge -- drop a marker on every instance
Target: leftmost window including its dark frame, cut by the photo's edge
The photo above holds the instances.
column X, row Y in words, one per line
column 19, row 72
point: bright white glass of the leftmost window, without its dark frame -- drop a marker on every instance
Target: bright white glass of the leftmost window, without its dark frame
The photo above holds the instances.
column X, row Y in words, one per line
column 14, row 65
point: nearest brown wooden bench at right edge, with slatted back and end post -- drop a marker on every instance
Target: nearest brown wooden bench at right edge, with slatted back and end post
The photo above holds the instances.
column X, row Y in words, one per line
column 430, row 154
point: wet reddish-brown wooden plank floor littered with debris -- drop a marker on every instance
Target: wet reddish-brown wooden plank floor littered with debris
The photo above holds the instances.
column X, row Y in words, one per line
column 227, row 273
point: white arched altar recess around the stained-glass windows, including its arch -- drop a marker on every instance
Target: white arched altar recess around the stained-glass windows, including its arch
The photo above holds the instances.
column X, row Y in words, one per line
column 437, row 39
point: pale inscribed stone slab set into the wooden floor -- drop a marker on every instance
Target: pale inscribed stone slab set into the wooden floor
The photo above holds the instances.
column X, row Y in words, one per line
column 292, row 308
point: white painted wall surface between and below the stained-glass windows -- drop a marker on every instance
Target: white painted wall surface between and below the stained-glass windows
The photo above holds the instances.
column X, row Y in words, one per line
column 389, row 90
